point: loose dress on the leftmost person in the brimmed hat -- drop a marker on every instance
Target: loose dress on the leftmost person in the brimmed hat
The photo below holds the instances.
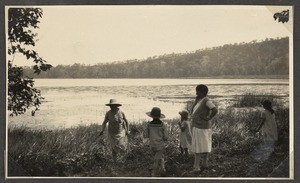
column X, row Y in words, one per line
column 117, row 138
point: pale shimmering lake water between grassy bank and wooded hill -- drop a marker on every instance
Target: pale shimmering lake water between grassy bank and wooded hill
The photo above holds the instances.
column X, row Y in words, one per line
column 71, row 102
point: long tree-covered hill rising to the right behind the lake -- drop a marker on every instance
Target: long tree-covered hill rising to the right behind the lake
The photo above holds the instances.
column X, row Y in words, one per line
column 268, row 57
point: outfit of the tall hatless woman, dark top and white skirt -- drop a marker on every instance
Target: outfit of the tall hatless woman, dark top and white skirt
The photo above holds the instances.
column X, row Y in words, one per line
column 201, row 137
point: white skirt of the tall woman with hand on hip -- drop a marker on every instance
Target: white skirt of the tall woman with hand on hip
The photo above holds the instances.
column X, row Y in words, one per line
column 201, row 140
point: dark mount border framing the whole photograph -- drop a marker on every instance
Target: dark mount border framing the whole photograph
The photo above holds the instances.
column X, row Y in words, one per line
column 295, row 73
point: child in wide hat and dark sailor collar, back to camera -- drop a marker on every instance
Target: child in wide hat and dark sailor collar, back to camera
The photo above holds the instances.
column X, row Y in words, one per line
column 158, row 135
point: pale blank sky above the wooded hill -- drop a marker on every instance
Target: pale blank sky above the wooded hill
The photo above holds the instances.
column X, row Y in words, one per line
column 100, row 34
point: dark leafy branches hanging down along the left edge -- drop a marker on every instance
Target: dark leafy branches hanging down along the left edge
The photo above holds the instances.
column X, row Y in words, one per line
column 21, row 92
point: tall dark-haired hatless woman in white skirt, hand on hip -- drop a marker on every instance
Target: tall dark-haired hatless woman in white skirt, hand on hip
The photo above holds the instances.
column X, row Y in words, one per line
column 203, row 110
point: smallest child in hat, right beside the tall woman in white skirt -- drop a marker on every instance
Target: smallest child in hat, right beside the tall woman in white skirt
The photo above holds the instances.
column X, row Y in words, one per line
column 185, row 136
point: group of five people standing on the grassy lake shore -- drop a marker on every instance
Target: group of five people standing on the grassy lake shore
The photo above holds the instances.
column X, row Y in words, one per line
column 195, row 130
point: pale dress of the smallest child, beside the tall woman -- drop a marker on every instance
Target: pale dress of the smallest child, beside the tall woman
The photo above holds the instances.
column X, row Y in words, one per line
column 185, row 136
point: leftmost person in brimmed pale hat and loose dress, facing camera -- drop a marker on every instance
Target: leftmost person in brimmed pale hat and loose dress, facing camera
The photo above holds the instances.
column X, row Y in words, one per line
column 117, row 128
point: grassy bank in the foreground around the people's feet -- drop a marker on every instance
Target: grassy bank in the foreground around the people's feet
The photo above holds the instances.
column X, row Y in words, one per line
column 80, row 151
